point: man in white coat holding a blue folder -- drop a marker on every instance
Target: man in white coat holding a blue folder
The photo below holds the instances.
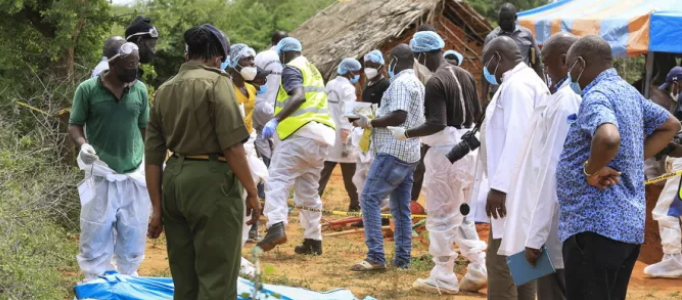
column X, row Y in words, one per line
column 533, row 187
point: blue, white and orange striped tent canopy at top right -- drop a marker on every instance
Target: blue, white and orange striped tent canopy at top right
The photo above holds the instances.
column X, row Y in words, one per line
column 631, row 27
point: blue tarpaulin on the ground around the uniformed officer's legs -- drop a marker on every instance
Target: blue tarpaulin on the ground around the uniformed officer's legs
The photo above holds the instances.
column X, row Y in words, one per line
column 114, row 286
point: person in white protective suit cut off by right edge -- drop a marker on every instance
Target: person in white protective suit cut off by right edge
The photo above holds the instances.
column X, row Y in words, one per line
column 668, row 208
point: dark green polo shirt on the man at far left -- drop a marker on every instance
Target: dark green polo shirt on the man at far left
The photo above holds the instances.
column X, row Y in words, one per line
column 113, row 127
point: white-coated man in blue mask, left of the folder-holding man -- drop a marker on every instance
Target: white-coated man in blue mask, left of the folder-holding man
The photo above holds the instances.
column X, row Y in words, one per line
column 507, row 118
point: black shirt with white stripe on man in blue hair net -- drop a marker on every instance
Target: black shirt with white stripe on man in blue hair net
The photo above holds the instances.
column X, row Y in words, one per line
column 442, row 103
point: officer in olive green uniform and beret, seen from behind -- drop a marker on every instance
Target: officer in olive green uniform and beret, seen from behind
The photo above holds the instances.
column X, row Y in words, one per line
column 196, row 117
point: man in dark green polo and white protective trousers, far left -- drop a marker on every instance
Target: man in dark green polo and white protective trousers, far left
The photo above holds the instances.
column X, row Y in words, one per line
column 115, row 206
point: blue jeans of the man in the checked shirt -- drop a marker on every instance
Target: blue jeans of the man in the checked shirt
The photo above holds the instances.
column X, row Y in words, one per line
column 388, row 176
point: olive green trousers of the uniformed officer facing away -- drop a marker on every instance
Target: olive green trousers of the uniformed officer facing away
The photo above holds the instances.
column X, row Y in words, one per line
column 203, row 212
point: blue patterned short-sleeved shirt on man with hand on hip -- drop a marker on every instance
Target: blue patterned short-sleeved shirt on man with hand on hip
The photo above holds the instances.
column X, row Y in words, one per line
column 618, row 212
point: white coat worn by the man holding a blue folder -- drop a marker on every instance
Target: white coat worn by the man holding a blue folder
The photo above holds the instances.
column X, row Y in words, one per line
column 532, row 206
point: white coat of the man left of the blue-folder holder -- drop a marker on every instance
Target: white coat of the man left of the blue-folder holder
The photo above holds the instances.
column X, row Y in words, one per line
column 508, row 117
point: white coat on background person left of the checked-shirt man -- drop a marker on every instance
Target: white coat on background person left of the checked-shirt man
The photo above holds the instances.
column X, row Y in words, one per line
column 340, row 90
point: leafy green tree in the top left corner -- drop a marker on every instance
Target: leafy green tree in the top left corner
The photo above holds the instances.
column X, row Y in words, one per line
column 44, row 39
